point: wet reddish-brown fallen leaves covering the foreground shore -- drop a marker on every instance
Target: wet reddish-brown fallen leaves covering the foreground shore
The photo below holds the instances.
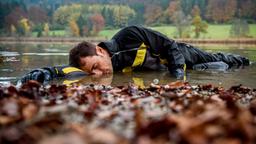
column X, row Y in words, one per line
column 173, row 113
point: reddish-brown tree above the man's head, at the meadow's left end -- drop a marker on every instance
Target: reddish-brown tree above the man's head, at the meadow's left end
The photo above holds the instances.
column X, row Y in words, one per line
column 98, row 23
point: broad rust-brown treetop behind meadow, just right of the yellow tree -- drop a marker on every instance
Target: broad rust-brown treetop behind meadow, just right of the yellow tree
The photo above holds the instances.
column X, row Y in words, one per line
column 221, row 10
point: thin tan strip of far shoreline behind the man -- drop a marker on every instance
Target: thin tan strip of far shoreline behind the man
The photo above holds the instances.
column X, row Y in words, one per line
column 249, row 41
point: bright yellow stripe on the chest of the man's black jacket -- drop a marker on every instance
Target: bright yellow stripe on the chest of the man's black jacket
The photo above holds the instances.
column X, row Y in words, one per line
column 139, row 59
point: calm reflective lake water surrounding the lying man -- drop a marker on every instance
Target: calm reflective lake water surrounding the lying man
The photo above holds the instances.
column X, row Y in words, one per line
column 18, row 59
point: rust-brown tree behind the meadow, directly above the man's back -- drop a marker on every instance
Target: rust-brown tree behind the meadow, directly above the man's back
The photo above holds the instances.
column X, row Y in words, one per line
column 152, row 13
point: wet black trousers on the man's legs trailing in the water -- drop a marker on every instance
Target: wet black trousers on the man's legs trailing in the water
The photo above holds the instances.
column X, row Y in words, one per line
column 195, row 56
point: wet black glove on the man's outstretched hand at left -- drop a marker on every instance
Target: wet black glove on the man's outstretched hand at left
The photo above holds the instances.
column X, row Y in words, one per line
column 40, row 75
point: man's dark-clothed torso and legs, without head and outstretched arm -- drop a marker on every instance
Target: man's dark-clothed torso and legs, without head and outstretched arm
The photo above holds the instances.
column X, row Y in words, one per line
column 137, row 47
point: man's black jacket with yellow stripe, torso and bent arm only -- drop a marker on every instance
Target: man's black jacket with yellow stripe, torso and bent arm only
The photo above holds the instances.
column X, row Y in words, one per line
column 136, row 47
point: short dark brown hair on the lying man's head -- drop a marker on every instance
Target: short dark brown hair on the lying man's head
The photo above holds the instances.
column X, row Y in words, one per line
column 82, row 49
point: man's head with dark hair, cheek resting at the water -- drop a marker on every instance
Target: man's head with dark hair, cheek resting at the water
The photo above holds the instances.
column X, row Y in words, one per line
column 90, row 58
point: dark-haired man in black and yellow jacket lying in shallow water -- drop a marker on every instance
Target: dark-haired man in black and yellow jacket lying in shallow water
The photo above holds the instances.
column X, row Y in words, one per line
column 136, row 48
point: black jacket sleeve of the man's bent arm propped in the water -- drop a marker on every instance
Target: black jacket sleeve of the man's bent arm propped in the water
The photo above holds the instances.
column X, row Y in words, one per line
column 165, row 48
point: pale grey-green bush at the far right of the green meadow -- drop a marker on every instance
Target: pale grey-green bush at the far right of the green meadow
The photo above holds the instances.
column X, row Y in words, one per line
column 239, row 28
